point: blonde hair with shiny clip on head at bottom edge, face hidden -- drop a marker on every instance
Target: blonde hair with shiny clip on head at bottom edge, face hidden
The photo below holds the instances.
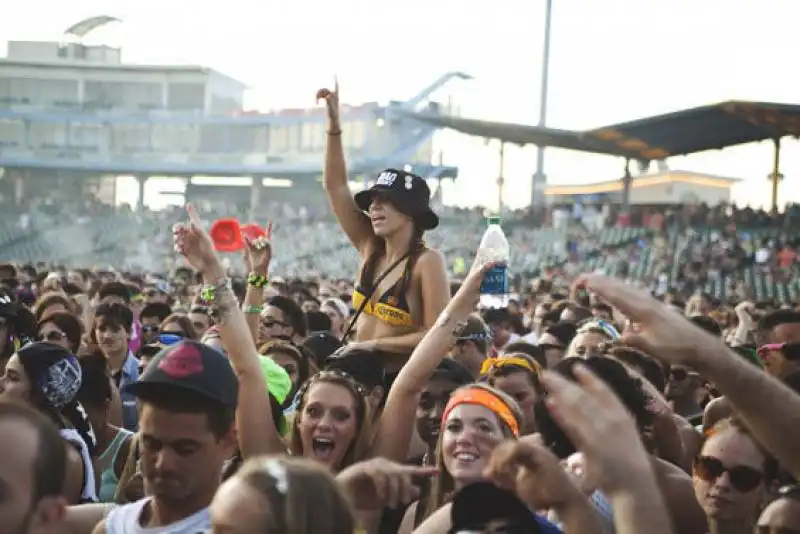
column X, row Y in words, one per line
column 303, row 496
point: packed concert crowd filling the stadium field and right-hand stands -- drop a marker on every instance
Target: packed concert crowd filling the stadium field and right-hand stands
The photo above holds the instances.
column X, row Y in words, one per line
column 656, row 394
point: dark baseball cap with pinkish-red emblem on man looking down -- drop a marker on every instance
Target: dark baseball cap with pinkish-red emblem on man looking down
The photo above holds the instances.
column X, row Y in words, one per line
column 189, row 366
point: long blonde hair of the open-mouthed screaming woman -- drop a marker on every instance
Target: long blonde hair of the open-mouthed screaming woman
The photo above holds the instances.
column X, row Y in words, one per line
column 359, row 448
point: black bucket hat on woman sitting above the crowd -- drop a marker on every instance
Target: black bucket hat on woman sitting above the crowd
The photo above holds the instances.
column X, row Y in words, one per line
column 407, row 192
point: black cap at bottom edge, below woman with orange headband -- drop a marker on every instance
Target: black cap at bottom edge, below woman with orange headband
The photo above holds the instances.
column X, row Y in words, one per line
column 470, row 512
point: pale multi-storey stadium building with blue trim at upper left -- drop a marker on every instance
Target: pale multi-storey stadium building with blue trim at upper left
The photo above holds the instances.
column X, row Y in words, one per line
column 79, row 113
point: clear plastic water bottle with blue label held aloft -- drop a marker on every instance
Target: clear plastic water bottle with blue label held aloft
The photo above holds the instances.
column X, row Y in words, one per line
column 494, row 247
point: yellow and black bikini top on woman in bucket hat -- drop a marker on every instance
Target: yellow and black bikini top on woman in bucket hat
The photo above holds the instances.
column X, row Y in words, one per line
column 392, row 306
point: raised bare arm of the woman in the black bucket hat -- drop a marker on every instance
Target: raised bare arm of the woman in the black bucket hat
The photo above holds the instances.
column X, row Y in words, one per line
column 352, row 221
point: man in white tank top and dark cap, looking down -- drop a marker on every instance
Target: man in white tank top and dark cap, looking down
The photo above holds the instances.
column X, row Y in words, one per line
column 186, row 432
